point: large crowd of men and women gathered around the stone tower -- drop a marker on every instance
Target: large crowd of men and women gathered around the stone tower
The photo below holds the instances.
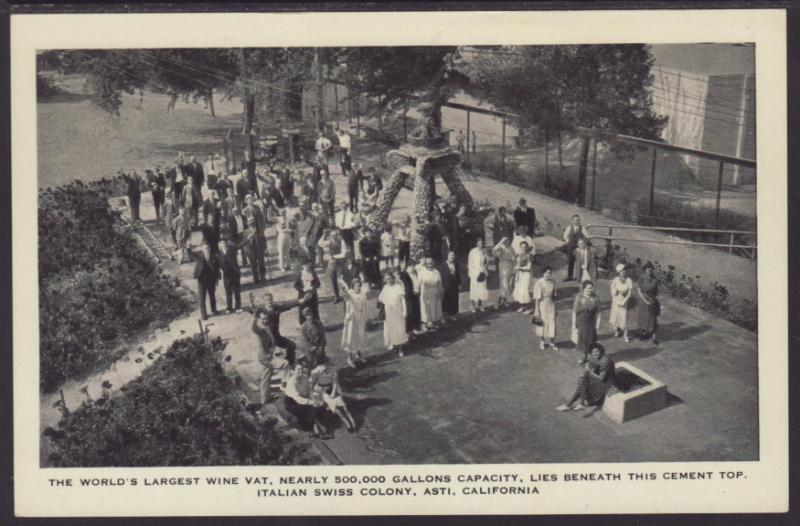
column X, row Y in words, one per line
column 314, row 237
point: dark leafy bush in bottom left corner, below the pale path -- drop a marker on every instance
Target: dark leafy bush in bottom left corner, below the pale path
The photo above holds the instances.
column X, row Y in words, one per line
column 184, row 410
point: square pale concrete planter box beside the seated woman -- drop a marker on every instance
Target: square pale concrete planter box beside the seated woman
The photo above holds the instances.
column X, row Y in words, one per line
column 638, row 394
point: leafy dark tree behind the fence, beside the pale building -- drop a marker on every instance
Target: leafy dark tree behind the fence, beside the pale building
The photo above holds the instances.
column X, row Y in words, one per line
column 570, row 88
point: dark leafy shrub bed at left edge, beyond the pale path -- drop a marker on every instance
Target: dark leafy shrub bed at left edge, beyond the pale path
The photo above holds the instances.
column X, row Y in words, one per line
column 96, row 284
